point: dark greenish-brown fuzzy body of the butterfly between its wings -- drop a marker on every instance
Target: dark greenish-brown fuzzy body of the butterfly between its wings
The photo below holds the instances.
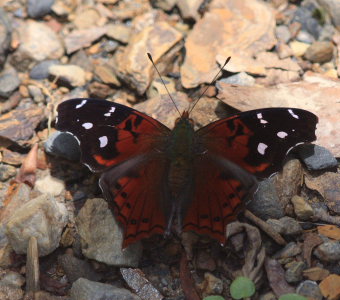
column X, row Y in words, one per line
column 180, row 152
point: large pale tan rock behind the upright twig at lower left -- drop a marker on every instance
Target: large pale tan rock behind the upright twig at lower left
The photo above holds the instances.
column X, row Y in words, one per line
column 42, row 217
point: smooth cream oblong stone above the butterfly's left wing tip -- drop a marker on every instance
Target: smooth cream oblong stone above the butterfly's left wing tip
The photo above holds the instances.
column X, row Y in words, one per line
column 68, row 74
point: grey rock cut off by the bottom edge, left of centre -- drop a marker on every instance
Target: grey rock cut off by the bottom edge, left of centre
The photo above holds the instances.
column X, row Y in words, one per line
column 84, row 289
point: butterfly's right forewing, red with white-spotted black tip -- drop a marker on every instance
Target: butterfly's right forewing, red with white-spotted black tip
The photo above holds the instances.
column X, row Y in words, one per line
column 259, row 140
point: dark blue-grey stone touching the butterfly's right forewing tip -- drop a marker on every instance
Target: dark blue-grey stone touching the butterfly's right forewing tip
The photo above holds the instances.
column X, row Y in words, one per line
column 316, row 157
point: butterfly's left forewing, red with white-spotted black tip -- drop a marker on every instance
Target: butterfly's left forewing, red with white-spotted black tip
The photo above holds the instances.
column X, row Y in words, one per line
column 108, row 133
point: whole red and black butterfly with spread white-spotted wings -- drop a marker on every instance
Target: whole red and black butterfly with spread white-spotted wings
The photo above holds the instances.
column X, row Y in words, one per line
column 156, row 179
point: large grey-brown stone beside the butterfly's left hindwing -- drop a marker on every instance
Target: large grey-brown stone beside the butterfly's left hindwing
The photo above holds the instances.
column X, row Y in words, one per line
column 103, row 242
